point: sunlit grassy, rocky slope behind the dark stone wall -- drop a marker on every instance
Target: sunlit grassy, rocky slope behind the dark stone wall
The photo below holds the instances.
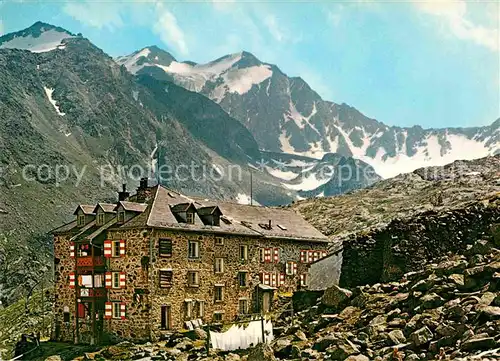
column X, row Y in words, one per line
column 404, row 196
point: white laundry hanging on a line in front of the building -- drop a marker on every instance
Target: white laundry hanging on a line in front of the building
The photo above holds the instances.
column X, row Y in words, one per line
column 241, row 337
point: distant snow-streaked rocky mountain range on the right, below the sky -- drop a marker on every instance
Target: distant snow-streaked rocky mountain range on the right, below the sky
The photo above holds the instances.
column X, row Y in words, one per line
column 285, row 115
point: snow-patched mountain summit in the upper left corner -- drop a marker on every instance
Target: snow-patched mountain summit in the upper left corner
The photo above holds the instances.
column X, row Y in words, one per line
column 38, row 38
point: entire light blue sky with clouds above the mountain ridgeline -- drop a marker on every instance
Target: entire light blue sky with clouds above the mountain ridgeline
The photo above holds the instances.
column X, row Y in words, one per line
column 434, row 64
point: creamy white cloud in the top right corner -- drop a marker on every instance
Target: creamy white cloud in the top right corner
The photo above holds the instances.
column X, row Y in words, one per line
column 454, row 15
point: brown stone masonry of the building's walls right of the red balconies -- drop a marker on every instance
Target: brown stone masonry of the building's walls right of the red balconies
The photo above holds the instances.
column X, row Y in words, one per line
column 142, row 265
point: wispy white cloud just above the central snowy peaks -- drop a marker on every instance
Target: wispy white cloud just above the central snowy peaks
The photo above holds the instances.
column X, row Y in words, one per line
column 169, row 31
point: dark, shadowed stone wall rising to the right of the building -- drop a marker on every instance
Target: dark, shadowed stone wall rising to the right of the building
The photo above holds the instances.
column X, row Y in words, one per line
column 386, row 254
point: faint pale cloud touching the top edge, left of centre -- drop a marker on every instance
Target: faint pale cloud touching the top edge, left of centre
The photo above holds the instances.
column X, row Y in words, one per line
column 99, row 15
